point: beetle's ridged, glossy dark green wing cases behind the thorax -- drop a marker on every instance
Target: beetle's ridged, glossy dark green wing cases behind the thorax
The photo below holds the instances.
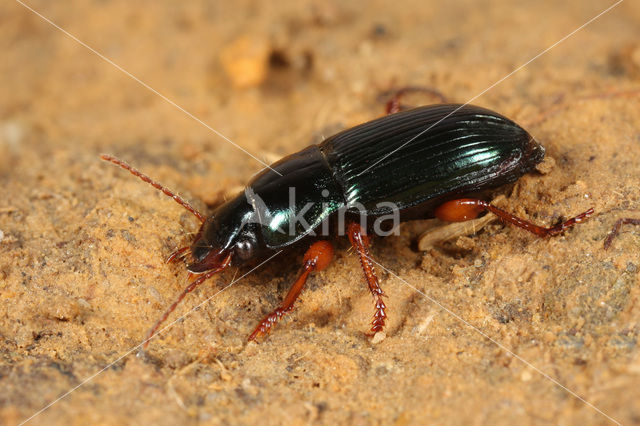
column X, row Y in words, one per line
column 430, row 154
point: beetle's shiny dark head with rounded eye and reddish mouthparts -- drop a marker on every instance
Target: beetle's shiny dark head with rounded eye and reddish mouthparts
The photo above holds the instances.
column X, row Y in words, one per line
column 226, row 235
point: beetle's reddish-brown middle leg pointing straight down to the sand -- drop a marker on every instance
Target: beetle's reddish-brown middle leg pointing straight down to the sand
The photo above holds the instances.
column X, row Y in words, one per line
column 360, row 242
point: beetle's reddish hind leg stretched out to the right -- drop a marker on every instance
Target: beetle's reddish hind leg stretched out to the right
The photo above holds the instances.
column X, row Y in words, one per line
column 469, row 208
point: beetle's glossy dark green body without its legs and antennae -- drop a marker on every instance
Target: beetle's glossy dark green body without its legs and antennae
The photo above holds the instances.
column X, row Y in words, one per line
column 466, row 152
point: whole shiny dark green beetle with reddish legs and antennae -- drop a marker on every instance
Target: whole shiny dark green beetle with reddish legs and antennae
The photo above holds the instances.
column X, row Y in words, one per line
column 431, row 161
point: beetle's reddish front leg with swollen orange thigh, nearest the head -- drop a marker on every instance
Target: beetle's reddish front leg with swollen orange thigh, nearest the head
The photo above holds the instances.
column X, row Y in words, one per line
column 316, row 258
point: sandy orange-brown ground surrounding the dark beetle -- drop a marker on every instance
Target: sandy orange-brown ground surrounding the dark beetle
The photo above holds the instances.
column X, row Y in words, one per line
column 82, row 244
